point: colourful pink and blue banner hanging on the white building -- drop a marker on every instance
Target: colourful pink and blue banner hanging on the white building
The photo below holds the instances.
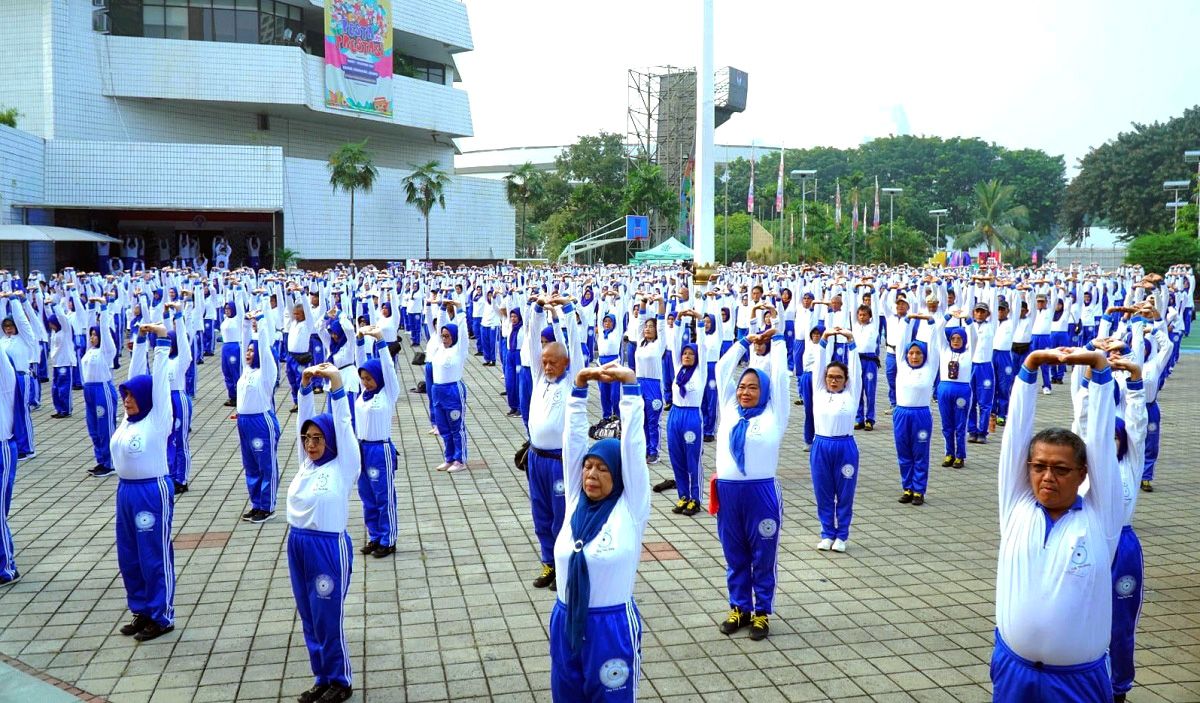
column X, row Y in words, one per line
column 358, row 57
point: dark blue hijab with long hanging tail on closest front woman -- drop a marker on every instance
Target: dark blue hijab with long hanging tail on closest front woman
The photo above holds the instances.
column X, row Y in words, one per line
column 587, row 521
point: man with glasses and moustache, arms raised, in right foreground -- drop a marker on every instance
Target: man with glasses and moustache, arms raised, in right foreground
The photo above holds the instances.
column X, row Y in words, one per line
column 1054, row 594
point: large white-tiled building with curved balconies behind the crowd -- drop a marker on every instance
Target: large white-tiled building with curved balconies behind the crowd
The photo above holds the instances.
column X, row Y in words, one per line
column 208, row 117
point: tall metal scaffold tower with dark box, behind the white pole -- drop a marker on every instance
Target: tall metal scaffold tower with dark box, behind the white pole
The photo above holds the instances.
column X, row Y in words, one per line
column 662, row 128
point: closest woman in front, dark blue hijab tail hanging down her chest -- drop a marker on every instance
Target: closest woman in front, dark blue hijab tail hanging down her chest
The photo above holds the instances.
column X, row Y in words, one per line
column 596, row 632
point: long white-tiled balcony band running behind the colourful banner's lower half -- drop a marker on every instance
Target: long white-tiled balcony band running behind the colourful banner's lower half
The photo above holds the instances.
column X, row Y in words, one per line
column 269, row 79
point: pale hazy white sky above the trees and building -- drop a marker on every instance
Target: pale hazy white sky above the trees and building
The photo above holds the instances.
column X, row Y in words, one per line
column 1063, row 76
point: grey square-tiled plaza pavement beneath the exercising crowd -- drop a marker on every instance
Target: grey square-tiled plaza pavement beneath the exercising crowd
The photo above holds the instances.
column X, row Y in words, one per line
column 907, row 615
